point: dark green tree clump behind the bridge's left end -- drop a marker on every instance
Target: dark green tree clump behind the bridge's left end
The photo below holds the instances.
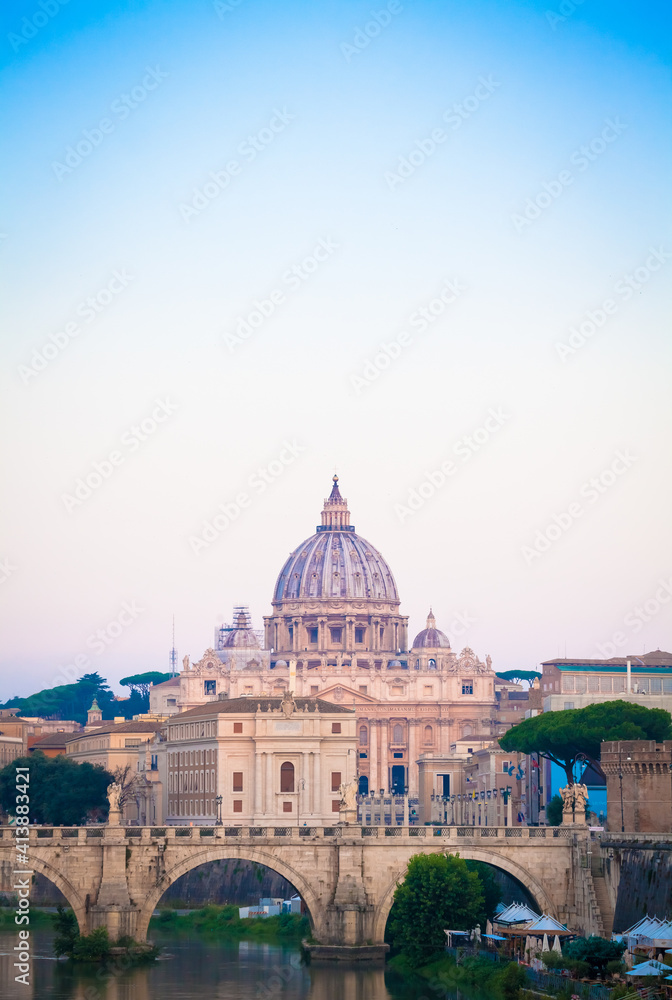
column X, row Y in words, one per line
column 62, row 792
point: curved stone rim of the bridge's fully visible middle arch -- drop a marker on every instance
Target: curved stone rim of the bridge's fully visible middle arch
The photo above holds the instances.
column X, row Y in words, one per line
column 226, row 853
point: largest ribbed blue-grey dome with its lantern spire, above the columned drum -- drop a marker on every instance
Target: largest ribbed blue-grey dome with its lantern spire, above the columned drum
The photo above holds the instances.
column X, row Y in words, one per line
column 335, row 563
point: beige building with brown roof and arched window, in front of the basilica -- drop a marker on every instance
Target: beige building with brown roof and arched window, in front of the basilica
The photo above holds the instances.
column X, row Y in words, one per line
column 257, row 762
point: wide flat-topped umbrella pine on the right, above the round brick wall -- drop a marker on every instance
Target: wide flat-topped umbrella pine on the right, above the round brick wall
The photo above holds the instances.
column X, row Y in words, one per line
column 568, row 736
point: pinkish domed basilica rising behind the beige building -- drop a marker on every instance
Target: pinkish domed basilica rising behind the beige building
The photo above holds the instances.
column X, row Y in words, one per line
column 336, row 633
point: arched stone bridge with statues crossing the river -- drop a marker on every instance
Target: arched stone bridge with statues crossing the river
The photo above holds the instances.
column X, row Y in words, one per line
column 346, row 875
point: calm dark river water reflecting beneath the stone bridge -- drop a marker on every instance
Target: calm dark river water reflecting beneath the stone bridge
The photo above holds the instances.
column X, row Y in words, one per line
column 197, row 967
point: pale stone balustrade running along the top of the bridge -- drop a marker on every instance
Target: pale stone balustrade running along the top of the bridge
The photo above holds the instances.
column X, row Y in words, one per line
column 459, row 834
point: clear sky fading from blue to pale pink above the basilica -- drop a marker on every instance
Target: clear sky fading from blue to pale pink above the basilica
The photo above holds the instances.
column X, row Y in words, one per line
column 247, row 245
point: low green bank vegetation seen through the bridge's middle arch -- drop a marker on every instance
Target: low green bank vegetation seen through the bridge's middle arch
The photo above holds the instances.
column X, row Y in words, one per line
column 224, row 921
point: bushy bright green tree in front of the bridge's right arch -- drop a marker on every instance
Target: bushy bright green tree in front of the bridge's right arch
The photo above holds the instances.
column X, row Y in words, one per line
column 438, row 892
